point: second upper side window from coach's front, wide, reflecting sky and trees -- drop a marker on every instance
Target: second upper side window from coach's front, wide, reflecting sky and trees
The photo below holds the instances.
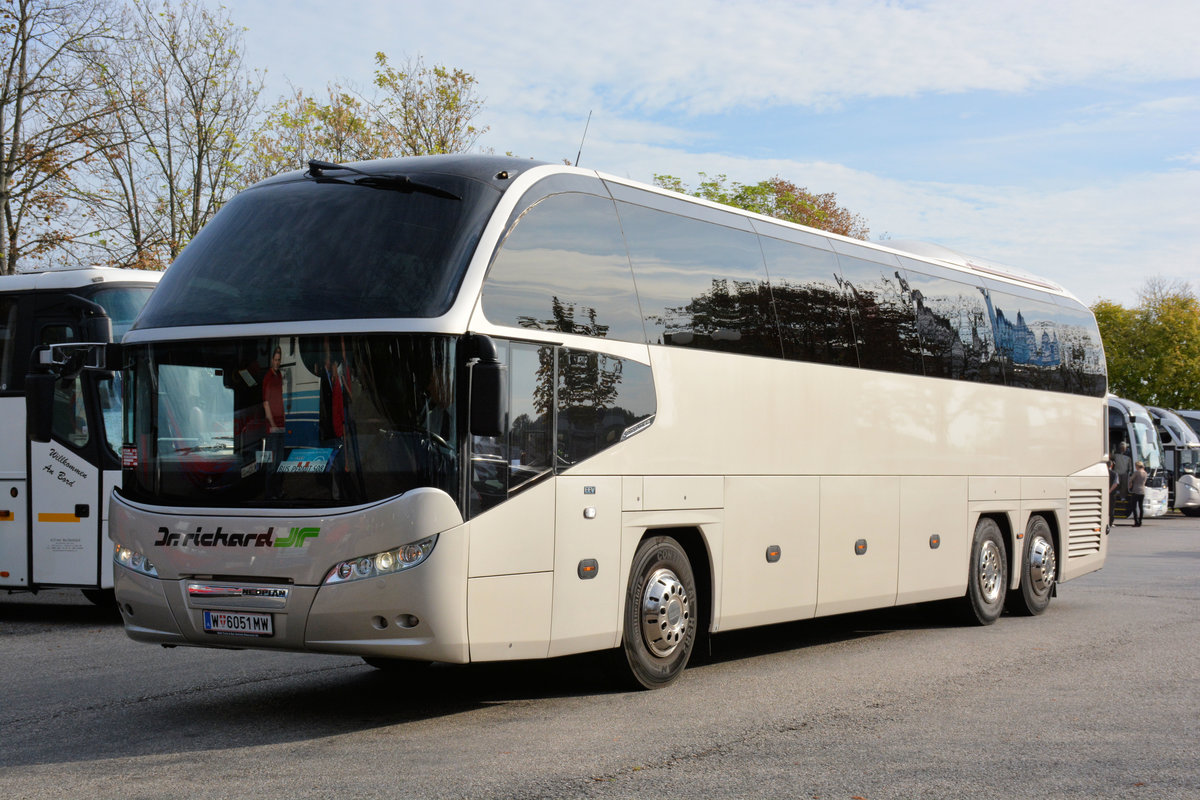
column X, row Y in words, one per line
column 701, row 285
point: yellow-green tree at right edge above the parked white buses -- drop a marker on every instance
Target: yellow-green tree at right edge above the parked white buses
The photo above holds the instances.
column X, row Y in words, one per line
column 1154, row 350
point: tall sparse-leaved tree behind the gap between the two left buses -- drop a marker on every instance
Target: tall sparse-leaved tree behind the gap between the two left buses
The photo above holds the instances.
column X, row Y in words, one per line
column 183, row 106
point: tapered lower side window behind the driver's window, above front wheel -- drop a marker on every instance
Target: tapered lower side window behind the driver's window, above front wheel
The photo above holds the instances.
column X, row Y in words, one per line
column 602, row 401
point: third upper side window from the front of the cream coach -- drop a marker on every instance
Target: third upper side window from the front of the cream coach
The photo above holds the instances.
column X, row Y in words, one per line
column 812, row 309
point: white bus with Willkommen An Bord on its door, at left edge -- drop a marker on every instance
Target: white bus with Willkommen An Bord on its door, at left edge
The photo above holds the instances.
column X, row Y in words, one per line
column 55, row 495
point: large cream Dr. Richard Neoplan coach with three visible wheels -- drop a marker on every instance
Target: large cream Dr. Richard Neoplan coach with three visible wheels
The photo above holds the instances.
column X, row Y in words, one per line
column 533, row 411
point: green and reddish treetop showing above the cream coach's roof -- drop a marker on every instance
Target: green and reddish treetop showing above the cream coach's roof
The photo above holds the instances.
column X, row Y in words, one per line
column 777, row 199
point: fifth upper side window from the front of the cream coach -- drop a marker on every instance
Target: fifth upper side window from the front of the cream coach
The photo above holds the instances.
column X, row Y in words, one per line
column 956, row 336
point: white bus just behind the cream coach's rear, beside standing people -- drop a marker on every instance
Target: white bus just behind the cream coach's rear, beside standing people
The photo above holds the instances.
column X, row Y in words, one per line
column 1133, row 438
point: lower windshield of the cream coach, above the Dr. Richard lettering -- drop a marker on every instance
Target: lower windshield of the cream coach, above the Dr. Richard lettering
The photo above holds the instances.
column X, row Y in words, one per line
column 291, row 422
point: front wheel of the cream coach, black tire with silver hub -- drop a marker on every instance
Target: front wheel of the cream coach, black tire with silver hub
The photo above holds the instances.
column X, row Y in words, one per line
column 661, row 613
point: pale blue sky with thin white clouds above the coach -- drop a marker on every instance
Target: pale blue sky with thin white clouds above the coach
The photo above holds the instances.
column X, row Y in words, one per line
column 1059, row 137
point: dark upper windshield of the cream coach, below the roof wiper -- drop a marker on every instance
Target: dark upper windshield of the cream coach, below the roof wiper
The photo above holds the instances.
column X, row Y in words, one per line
column 332, row 250
